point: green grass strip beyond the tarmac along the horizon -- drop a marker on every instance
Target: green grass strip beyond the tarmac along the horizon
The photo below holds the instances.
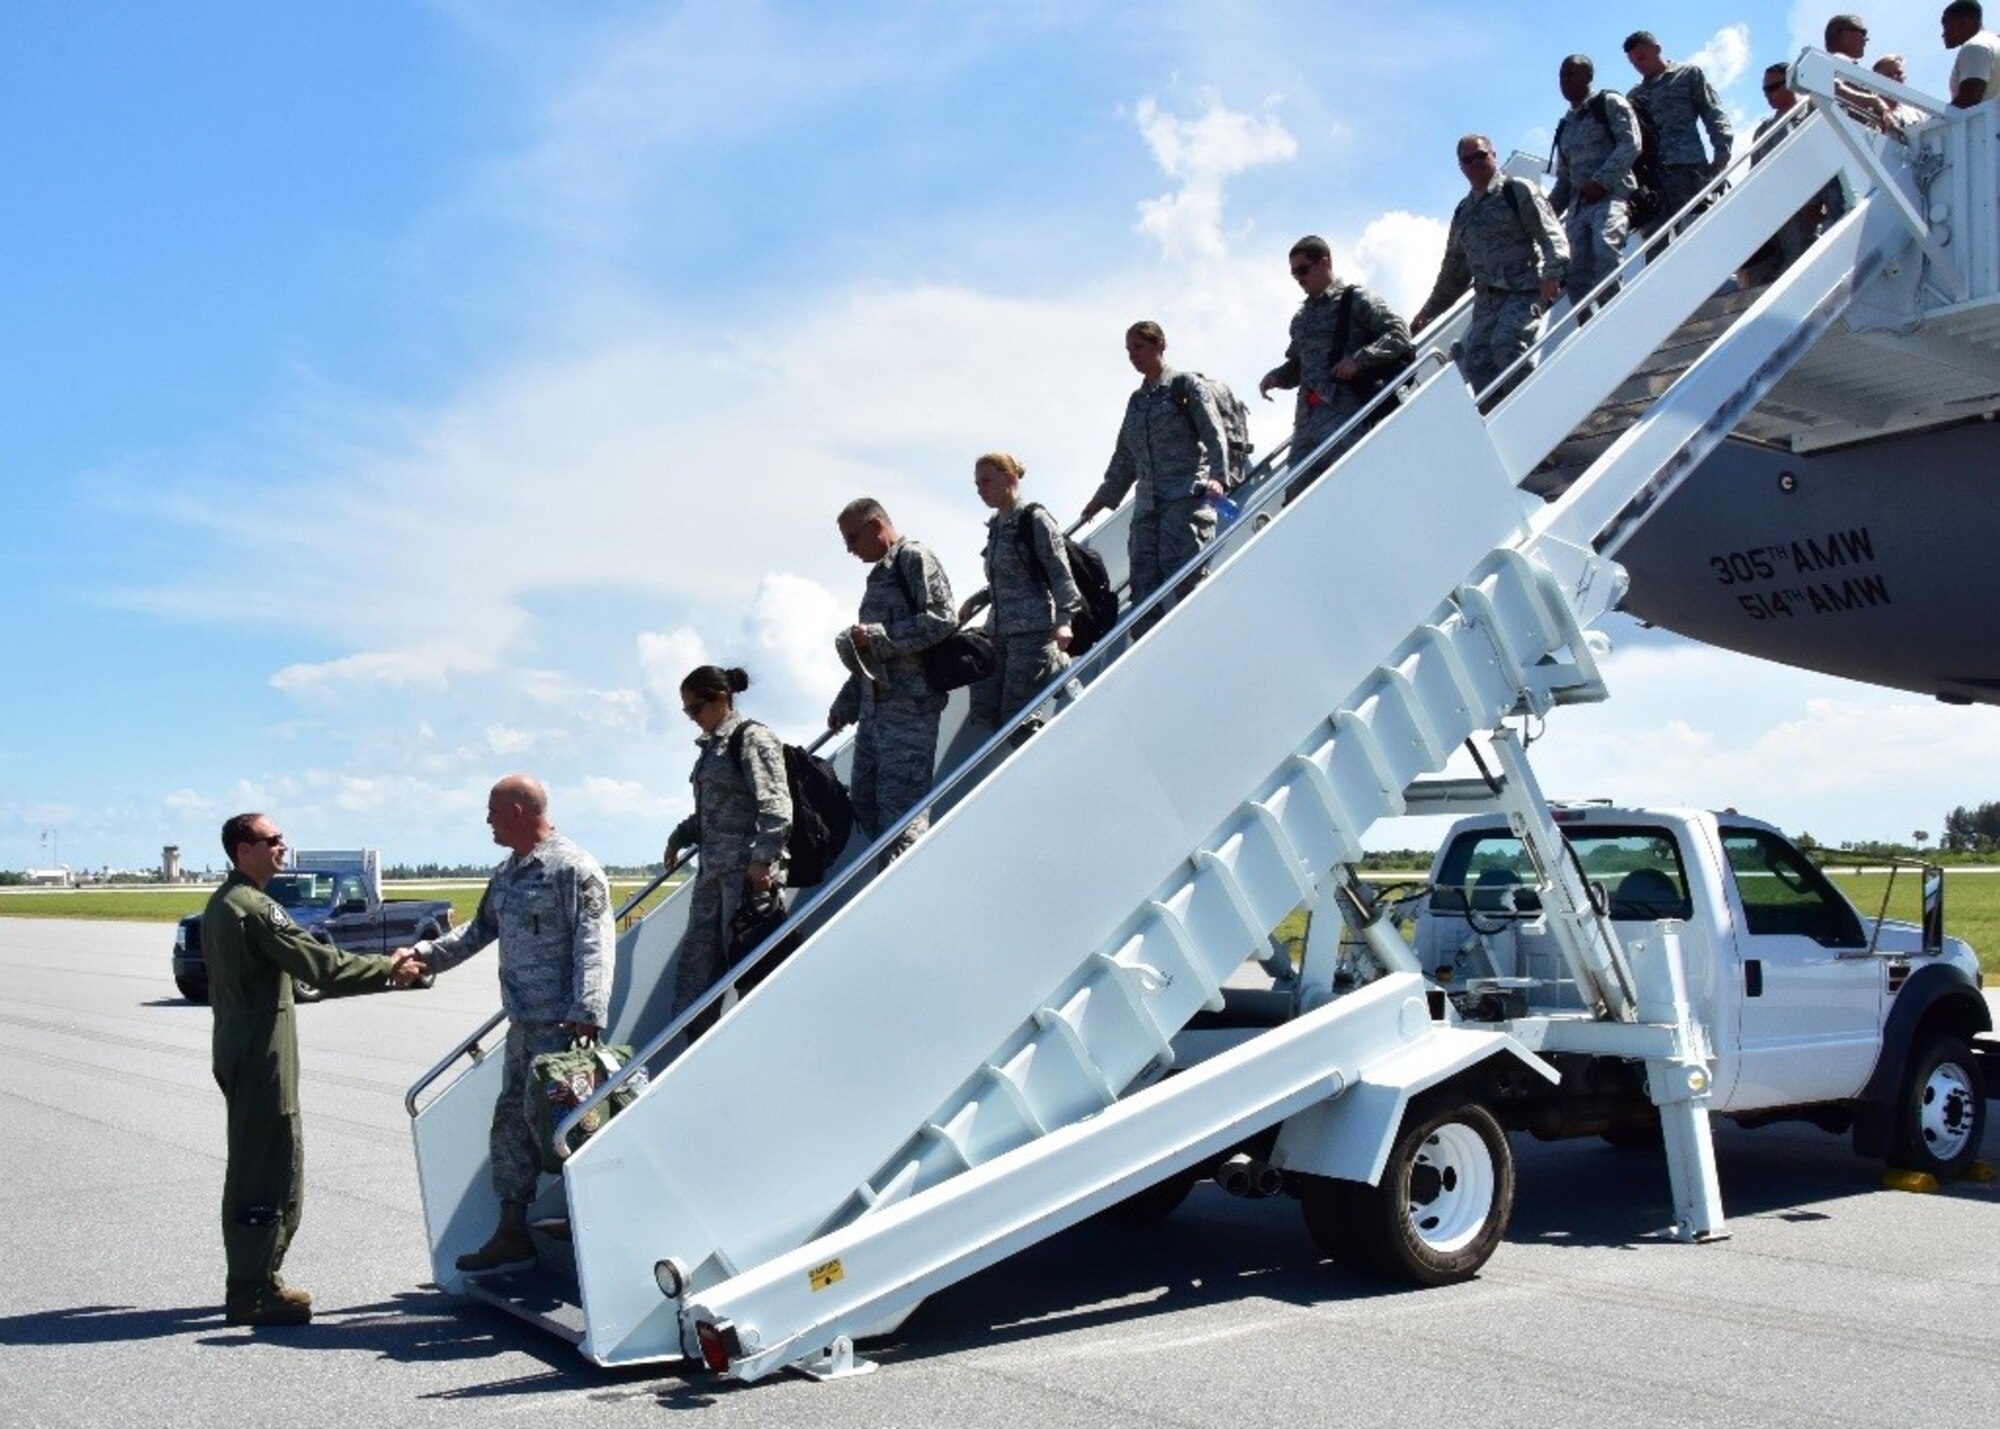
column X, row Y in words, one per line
column 1971, row 904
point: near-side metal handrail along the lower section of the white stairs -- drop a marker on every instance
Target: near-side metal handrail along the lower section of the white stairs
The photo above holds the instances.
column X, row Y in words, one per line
column 1263, row 483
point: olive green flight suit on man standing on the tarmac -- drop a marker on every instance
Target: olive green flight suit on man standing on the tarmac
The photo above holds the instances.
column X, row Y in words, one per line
column 255, row 952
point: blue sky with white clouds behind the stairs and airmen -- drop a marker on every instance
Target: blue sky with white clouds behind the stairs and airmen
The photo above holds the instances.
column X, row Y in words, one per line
column 409, row 393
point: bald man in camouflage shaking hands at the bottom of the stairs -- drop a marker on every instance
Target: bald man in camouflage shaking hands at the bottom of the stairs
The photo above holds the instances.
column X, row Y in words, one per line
column 549, row 908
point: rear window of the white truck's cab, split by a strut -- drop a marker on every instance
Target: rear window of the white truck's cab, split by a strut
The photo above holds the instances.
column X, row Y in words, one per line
column 1641, row 870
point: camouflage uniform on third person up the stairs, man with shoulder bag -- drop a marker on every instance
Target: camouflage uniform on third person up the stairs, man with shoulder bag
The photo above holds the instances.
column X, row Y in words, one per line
column 897, row 716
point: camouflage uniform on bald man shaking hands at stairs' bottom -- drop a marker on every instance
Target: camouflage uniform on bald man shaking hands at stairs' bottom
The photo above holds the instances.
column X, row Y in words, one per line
column 553, row 918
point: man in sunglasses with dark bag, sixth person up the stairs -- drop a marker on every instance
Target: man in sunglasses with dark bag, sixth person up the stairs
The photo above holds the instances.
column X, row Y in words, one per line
column 1345, row 343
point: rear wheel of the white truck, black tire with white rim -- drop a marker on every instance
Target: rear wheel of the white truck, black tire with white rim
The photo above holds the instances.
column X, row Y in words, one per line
column 1443, row 1206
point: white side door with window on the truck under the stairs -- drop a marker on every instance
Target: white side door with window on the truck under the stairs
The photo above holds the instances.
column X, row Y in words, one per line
column 1811, row 994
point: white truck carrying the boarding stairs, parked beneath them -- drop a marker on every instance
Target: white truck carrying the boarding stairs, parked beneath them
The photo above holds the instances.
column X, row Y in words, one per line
column 1759, row 994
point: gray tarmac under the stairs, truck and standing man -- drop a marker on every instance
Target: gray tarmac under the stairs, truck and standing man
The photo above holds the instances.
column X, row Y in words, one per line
column 1835, row 1302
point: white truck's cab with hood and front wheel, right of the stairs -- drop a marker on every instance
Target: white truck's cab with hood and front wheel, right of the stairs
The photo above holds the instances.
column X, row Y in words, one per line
column 1811, row 1008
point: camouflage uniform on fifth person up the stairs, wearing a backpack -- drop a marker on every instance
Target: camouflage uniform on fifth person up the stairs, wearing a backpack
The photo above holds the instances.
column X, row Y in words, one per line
column 1171, row 455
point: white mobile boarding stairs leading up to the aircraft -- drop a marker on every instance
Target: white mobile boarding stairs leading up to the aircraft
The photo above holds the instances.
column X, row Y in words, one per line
column 937, row 1076
